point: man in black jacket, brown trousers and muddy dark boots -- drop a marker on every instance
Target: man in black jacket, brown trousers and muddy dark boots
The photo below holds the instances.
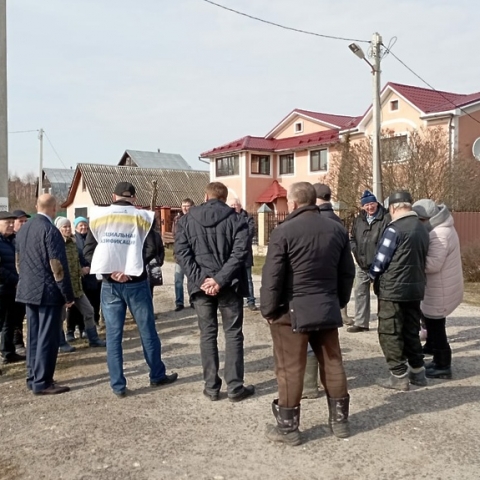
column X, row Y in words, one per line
column 307, row 278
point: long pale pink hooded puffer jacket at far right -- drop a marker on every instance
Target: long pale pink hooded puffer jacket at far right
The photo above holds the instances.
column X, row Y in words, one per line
column 444, row 289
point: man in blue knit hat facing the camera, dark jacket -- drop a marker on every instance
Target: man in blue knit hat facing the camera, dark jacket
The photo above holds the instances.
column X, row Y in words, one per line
column 366, row 231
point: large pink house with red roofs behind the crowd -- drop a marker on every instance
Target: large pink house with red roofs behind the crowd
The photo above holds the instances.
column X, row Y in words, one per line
column 299, row 148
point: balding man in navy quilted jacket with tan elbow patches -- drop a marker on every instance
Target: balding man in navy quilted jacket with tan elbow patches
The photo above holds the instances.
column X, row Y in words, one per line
column 45, row 287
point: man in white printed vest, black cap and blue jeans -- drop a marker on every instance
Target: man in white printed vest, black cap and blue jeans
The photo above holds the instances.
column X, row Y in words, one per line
column 119, row 245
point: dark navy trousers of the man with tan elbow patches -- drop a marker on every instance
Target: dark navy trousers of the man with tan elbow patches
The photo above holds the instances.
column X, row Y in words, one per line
column 43, row 324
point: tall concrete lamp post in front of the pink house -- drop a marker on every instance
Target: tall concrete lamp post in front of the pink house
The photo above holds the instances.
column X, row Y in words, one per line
column 375, row 66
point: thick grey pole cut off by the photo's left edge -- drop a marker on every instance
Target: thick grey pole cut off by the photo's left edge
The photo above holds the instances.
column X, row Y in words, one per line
column 3, row 108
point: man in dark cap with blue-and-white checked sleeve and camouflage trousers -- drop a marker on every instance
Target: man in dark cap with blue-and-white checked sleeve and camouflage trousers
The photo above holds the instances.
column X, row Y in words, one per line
column 398, row 271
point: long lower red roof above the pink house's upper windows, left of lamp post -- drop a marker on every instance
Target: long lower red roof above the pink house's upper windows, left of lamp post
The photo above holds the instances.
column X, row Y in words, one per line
column 263, row 144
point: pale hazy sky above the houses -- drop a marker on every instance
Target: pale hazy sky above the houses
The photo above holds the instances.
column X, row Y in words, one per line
column 184, row 76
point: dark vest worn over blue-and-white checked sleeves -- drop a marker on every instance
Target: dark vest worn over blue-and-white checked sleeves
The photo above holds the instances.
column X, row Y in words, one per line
column 404, row 279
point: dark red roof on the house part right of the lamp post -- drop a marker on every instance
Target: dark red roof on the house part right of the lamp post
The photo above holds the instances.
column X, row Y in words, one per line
column 433, row 101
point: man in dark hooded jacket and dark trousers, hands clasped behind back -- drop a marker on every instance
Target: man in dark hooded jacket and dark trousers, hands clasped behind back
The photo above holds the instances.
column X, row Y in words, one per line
column 211, row 247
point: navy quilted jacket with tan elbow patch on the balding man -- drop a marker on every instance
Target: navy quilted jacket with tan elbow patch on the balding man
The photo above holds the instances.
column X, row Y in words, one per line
column 44, row 278
